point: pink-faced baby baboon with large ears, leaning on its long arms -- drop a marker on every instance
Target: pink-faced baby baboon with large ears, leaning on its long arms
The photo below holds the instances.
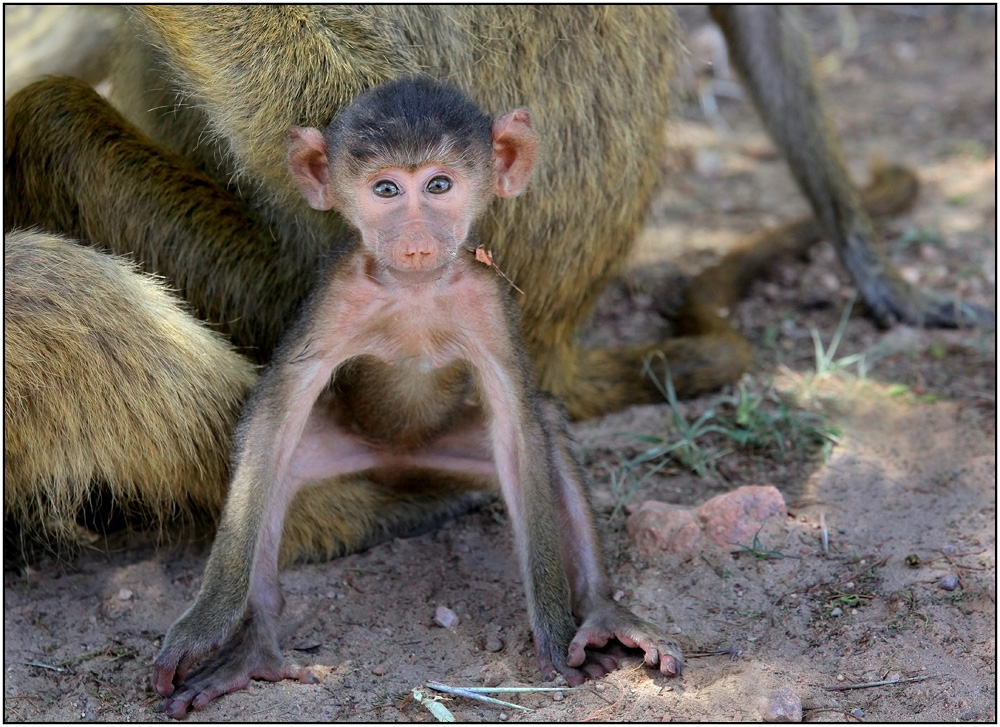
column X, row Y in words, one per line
column 406, row 363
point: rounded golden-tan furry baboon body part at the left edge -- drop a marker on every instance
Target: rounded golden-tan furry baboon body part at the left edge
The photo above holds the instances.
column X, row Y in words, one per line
column 108, row 379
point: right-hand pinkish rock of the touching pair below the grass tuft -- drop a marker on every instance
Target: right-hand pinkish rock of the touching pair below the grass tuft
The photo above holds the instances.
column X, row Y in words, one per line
column 735, row 517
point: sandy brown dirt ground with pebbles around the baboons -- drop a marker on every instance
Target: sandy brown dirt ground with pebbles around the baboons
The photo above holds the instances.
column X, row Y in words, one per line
column 907, row 492
